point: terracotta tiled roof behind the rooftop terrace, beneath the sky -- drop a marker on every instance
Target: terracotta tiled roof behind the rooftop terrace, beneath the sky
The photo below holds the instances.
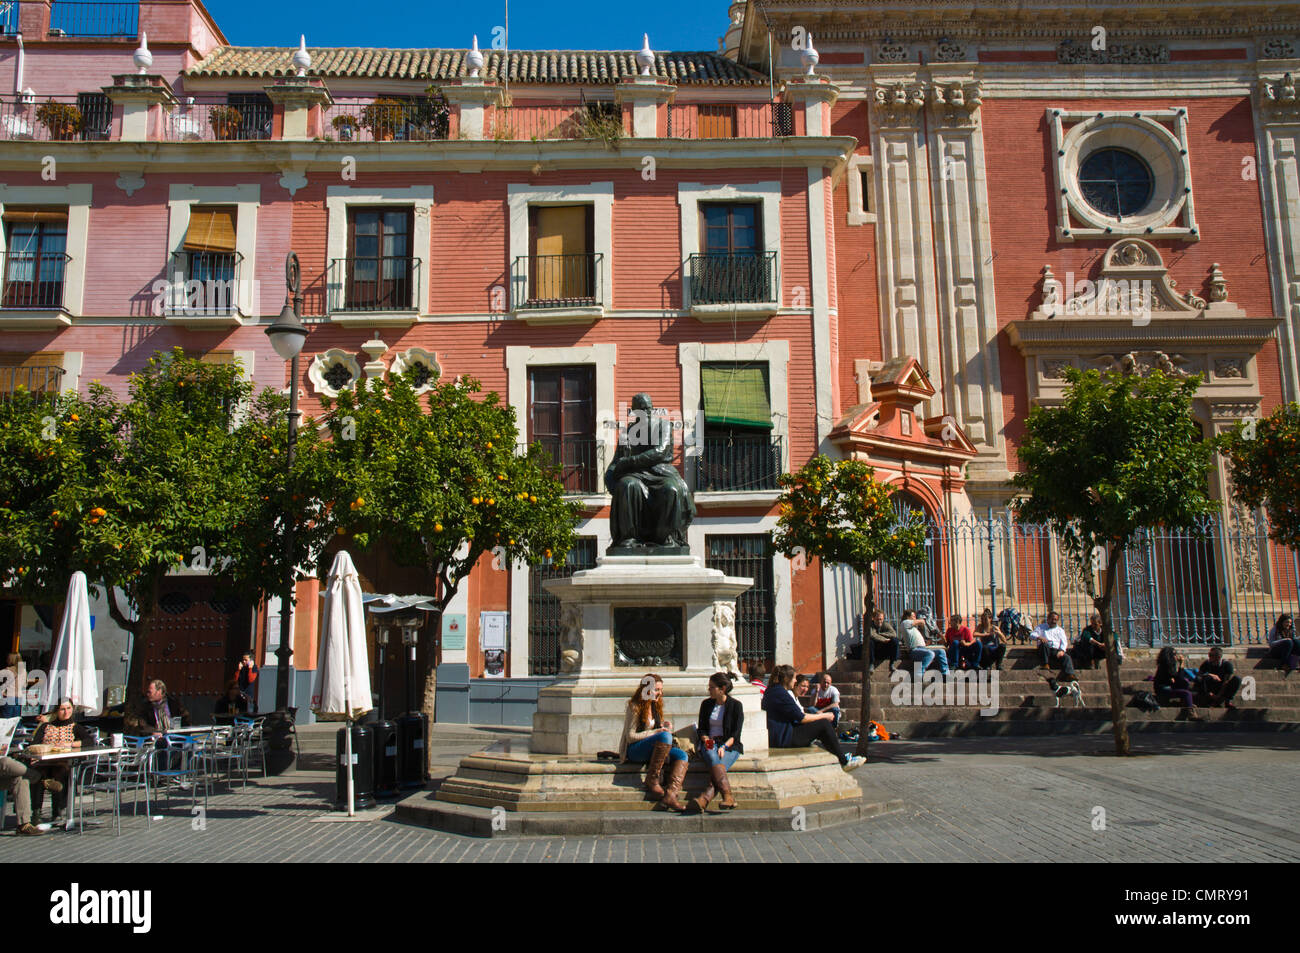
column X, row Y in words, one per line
column 571, row 67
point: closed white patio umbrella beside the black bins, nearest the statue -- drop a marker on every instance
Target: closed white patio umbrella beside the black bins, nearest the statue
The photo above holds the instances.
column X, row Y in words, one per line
column 343, row 688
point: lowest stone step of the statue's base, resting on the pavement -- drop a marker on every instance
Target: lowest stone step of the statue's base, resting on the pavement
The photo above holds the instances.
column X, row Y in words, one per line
column 426, row 811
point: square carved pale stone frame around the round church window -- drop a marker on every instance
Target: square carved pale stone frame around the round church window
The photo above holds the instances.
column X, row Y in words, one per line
column 1159, row 137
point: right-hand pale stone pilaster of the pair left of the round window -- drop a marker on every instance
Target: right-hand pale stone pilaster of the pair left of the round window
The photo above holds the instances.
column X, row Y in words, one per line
column 964, row 253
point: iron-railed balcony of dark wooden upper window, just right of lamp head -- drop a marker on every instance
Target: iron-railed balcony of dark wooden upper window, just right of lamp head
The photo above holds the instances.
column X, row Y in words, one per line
column 380, row 292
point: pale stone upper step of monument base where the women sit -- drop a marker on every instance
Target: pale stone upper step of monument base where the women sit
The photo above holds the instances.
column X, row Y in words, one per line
column 510, row 777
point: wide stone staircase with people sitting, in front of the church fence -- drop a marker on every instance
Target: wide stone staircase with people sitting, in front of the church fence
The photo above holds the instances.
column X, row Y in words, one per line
column 1025, row 705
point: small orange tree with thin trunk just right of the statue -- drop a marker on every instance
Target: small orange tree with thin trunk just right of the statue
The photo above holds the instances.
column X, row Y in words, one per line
column 840, row 514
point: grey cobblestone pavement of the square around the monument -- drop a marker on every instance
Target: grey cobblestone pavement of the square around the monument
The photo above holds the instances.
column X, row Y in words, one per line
column 1184, row 799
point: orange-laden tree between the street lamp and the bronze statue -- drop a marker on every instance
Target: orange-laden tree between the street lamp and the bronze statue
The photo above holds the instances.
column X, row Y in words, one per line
column 437, row 480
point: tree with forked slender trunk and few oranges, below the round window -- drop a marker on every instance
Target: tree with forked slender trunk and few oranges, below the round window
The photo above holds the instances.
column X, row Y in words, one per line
column 1121, row 453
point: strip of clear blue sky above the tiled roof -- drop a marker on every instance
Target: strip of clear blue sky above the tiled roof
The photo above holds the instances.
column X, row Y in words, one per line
column 534, row 24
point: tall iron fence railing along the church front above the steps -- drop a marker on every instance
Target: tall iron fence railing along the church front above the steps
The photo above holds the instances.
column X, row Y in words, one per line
column 1220, row 583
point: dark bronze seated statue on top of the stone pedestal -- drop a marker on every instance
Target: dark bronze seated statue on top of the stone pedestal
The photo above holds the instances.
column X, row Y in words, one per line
column 651, row 506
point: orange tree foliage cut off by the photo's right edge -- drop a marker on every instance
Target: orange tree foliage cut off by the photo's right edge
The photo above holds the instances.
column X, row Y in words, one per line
column 1264, row 462
